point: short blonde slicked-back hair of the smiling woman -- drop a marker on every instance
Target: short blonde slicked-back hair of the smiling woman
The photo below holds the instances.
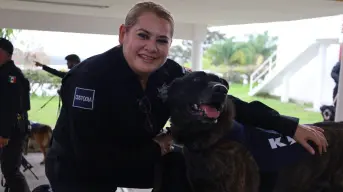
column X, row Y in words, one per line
column 143, row 7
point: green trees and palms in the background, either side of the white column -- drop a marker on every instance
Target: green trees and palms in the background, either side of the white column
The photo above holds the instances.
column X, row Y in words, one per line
column 228, row 51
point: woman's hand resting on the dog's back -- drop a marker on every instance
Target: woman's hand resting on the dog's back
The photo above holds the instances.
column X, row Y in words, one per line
column 312, row 133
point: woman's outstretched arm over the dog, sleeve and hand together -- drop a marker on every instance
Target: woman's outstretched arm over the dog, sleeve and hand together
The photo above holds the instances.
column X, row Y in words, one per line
column 259, row 115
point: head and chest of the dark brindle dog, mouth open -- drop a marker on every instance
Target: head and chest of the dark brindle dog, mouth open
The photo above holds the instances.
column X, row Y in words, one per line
column 201, row 115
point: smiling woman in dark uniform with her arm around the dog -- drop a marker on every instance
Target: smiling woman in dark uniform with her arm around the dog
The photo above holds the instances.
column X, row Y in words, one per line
column 113, row 109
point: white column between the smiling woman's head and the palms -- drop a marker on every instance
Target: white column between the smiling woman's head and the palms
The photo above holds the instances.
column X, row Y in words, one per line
column 199, row 35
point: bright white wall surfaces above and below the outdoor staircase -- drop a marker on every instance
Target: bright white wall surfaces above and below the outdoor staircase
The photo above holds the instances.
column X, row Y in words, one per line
column 296, row 37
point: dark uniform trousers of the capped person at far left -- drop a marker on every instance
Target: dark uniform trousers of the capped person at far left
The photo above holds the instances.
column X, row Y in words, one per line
column 11, row 158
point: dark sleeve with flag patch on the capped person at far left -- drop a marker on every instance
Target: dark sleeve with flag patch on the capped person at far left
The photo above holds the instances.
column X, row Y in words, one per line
column 9, row 100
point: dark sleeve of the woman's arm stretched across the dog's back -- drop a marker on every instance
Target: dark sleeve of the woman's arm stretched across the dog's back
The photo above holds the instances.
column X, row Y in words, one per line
column 257, row 114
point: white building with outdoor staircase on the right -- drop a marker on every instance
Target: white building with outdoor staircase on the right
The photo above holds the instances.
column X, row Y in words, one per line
column 311, row 48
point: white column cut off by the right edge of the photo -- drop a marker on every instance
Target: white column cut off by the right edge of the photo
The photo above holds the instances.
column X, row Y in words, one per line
column 339, row 105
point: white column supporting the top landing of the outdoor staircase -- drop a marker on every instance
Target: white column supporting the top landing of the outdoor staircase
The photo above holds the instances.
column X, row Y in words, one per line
column 317, row 102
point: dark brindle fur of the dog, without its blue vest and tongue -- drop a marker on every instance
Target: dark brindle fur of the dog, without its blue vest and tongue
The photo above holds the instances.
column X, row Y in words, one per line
column 217, row 165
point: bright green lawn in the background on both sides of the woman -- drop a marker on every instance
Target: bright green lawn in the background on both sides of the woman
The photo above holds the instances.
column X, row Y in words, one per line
column 48, row 114
